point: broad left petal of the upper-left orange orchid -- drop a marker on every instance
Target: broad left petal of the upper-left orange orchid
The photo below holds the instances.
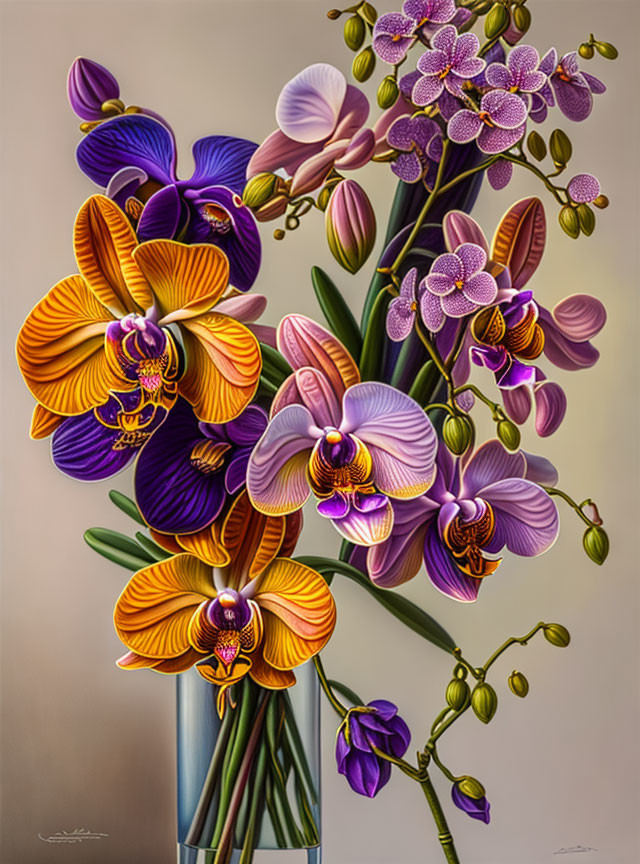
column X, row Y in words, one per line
column 60, row 350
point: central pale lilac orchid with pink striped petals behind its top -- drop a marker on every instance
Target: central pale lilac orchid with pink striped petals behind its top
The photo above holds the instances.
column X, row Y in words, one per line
column 353, row 445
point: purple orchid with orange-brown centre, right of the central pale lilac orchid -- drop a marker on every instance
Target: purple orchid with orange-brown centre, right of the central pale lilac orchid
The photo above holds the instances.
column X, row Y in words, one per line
column 473, row 510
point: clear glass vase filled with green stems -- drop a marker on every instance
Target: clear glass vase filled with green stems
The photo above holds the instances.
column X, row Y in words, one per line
column 251, row 780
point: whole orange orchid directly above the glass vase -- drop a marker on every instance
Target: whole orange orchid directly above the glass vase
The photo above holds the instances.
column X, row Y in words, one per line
column 233, row 605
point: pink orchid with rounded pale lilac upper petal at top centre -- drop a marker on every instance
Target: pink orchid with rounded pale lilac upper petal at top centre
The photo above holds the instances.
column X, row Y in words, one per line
column 321, row 126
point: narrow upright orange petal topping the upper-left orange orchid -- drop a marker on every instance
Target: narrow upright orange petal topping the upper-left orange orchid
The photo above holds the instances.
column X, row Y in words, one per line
column 104, row 241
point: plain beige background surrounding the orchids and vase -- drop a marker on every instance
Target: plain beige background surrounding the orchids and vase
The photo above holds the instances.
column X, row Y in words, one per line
column 86, row 745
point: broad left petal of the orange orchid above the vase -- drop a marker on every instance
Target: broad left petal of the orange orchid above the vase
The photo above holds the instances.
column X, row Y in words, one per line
column 153, row 612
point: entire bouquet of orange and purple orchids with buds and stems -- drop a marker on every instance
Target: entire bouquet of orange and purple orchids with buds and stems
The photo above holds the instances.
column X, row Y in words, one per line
column 152, row 355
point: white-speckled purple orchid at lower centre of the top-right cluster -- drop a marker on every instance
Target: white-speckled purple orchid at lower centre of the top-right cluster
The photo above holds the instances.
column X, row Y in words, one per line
column 499, row 124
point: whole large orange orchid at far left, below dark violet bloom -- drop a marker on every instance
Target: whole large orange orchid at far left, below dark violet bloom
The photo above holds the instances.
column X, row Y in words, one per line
column 106, row 330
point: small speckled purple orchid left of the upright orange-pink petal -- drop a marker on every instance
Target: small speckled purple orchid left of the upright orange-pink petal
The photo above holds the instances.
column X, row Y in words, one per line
column 457, row 285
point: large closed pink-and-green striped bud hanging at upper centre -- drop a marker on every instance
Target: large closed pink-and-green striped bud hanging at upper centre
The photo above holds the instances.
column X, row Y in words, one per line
column 350, row 224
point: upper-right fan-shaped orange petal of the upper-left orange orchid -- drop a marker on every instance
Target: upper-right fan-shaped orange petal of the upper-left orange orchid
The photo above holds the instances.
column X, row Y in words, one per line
column 186, row 280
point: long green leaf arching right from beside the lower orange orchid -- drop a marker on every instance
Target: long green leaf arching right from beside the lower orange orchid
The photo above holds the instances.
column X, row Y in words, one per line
column 404, row 610
